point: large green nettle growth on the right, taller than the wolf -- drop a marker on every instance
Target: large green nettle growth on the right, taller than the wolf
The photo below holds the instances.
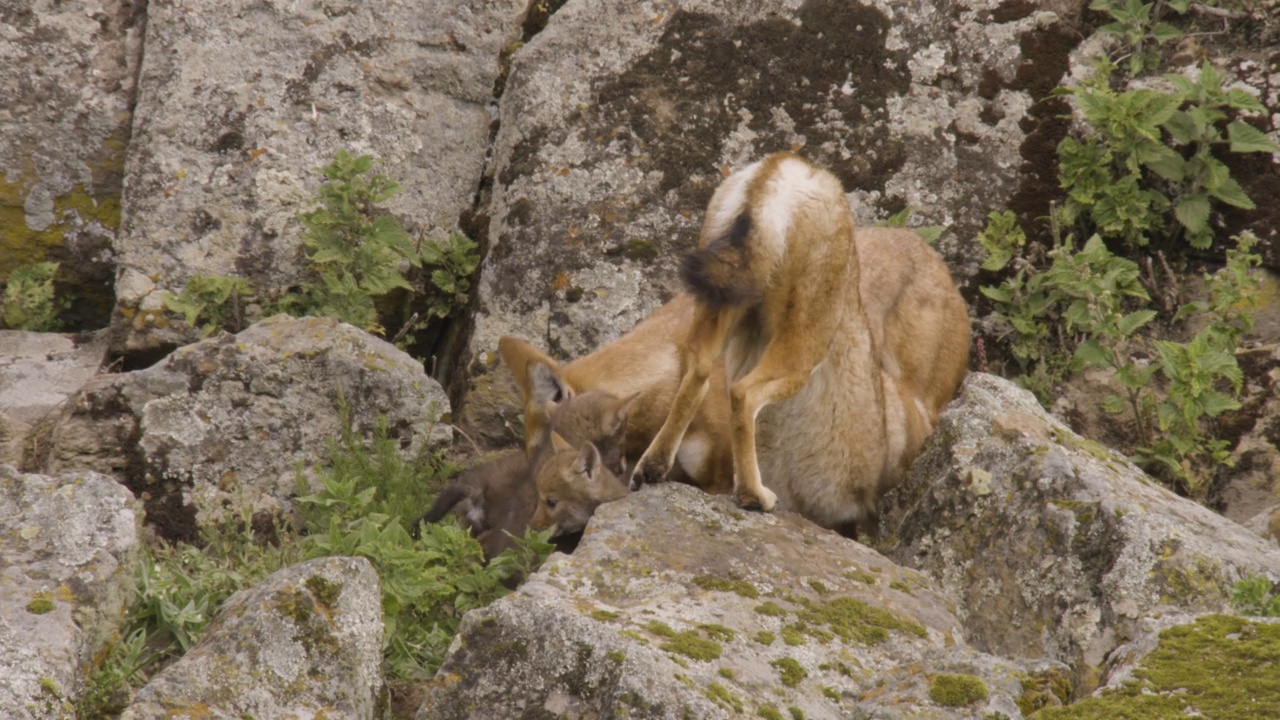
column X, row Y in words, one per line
column 1144, row 170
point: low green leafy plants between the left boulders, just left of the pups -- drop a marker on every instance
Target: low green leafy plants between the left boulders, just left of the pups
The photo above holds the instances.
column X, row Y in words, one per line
column 365, row 502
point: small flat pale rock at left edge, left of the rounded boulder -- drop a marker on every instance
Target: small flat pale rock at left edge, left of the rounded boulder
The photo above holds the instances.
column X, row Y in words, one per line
column 39, row 372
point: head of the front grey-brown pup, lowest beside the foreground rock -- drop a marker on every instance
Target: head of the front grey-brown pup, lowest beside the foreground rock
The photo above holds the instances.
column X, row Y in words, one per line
column 572, row 485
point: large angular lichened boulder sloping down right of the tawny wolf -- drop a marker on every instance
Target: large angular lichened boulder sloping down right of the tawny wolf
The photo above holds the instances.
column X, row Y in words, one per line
column 1053, row 545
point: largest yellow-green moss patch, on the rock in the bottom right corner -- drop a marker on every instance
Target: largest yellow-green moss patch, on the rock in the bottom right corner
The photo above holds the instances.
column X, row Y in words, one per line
column 1219, row 667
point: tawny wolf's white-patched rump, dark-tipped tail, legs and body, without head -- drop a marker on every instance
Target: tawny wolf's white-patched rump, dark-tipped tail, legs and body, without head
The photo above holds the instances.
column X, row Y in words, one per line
column 840, row 353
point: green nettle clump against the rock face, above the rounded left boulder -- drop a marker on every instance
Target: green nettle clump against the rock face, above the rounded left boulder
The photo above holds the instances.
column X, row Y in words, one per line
column 356, row 258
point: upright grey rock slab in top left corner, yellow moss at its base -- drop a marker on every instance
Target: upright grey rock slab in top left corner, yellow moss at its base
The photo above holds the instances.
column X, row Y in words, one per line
column 65, row 129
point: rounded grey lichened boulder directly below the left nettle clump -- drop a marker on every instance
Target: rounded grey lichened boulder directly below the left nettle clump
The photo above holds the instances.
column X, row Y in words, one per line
column 230, row 421
